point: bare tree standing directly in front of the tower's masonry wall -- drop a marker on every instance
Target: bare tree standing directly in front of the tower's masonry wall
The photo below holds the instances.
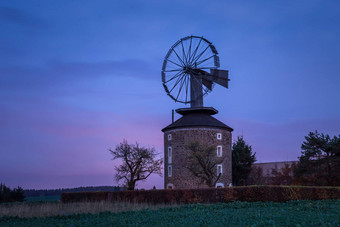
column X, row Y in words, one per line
column 202, row 163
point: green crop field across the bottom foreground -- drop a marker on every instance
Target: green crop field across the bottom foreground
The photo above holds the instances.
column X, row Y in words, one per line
column 293, row 213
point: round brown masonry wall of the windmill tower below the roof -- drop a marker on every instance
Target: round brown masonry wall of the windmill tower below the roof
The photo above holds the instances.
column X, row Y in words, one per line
column 180, row 138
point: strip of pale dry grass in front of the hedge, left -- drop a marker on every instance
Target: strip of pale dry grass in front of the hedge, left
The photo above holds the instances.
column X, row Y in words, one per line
column 54, row 209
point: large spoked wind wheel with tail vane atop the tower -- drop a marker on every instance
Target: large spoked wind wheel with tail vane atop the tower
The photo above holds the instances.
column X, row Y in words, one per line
column 190, row 70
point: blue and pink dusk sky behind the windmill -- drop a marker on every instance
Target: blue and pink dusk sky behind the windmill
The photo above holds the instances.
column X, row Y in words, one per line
column 78, row 77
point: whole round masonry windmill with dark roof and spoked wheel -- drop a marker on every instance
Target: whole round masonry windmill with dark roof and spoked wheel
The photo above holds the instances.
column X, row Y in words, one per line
column 186, row 80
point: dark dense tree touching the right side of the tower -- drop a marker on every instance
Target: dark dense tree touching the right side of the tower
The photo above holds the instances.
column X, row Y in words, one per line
column 243, row 158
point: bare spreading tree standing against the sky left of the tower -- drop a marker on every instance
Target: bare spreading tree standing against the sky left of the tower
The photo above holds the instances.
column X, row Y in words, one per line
column 138, row 163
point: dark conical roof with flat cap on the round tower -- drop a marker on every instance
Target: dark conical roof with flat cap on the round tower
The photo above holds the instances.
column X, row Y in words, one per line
column 197, row 117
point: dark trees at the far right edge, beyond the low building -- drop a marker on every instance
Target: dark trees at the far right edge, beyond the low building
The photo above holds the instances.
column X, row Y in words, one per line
column 319, row 163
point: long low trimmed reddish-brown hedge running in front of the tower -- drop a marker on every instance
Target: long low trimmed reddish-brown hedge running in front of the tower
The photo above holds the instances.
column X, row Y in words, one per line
column 211, row 195
